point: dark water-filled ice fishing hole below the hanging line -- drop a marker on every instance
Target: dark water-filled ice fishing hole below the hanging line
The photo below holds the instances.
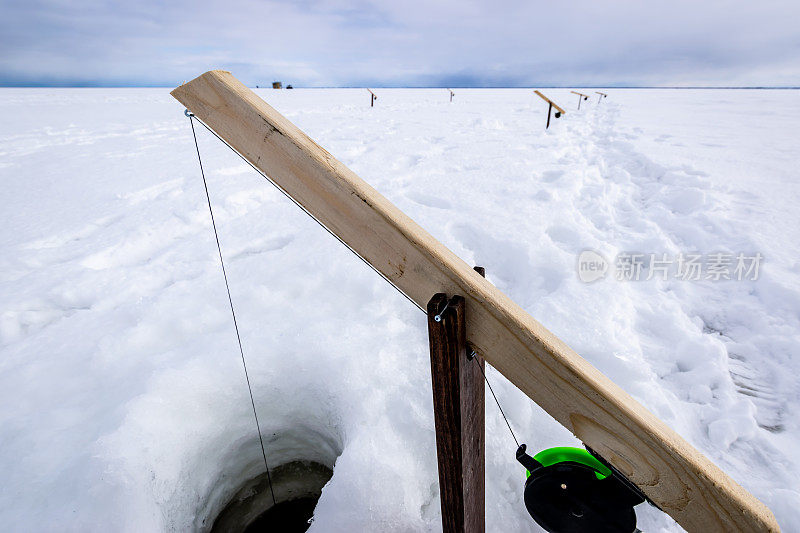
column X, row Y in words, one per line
column 297, row 485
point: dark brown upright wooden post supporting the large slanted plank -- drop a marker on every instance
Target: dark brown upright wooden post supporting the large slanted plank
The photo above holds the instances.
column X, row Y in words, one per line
column 458, row 407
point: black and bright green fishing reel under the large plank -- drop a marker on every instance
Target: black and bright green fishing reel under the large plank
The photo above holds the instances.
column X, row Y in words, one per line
column 572, row 490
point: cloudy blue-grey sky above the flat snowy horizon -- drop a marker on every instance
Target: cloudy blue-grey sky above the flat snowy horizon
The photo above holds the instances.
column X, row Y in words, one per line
column 505, row 43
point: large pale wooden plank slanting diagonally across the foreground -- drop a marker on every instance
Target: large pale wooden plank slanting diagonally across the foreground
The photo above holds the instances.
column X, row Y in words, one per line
column 677, row 477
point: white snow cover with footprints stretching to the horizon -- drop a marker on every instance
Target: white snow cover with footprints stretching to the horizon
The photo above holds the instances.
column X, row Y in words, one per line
column 123, row 404
